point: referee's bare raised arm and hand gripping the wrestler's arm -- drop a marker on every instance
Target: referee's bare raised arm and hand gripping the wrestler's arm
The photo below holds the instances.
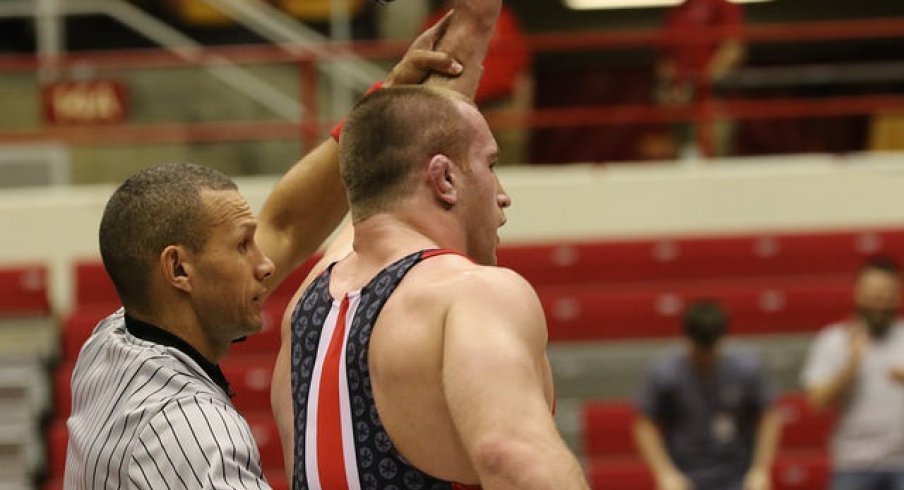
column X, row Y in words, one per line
column 308, row 202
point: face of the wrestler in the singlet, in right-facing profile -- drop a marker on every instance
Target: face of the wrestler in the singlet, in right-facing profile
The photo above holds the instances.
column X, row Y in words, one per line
column 484, row 198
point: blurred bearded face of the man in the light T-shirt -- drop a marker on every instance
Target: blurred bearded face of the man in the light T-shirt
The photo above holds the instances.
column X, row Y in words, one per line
column 878, row 297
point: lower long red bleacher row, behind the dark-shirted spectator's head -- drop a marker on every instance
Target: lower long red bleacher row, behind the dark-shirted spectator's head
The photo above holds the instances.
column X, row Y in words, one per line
column 785, row 305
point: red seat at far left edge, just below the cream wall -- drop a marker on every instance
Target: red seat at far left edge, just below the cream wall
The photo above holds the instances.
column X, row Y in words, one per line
column 23, row 291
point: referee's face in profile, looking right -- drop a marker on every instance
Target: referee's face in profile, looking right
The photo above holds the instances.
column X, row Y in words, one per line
column 227, row 286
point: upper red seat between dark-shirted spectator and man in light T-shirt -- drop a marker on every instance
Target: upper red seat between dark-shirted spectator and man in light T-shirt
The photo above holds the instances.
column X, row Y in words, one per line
column 803, row 427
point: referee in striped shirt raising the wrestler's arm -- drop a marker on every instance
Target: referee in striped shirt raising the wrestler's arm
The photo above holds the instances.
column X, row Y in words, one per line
column 192, row 266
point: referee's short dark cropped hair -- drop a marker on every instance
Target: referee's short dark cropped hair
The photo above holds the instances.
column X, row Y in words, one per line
column 157, row 207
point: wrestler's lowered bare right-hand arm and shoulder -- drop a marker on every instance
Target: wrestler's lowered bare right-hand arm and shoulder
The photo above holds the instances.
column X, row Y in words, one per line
column 498, row 387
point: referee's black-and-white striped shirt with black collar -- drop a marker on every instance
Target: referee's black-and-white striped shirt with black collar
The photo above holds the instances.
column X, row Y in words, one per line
column 149, row 412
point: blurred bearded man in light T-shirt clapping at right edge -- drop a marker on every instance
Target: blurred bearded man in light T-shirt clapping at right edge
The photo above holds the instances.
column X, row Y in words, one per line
column 857, row 367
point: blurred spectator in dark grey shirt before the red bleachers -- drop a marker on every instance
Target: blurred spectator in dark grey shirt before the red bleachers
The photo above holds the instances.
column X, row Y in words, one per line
column 706, row 418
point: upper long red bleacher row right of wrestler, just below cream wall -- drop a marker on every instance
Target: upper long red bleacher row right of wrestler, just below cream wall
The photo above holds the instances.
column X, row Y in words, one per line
column 702, row 257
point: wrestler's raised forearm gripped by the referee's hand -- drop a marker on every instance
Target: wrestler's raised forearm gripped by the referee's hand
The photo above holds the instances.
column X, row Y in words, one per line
column 466, row 40
